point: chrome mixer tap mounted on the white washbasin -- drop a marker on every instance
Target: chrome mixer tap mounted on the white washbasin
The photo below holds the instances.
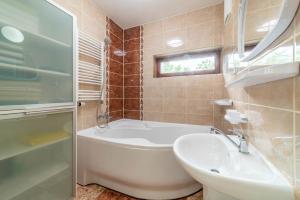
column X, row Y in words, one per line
column 242, row 145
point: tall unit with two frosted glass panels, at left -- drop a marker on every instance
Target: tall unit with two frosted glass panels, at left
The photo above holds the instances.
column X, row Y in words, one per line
column 37, row 101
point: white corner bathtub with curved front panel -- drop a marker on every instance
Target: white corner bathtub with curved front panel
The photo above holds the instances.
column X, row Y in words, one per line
column 136, row 158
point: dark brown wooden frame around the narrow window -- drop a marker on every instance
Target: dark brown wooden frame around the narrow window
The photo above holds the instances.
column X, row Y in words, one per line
column 216, row 53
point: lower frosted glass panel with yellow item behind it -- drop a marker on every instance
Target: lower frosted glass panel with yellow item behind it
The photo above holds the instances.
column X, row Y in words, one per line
column 36, row 157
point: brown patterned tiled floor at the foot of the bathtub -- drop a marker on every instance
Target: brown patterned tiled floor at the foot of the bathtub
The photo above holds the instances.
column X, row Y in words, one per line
column 96, row 192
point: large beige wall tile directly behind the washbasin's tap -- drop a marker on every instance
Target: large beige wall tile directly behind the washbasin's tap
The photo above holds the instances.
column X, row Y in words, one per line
column 269, row 130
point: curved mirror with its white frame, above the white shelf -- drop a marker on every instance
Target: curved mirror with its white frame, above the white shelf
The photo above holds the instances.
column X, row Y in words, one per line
column 260, row 23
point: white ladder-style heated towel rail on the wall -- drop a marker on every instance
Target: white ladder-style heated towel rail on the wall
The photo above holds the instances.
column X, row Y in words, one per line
column 88, row 72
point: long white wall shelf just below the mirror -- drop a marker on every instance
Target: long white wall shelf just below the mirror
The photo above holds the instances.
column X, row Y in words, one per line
column 263, row 74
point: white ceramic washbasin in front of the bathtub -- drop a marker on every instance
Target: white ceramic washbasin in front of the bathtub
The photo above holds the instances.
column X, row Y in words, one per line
column 216, row 163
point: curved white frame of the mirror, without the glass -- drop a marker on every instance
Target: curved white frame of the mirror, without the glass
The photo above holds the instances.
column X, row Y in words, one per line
column 287, row 13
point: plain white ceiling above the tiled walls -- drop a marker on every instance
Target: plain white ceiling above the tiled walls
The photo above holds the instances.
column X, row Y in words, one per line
column 130, row 13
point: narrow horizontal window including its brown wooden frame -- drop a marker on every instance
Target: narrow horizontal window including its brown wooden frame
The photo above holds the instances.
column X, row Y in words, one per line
column 207, row 62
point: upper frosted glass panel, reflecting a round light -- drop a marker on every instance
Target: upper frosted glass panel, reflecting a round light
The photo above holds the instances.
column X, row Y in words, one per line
column 36, row 53
